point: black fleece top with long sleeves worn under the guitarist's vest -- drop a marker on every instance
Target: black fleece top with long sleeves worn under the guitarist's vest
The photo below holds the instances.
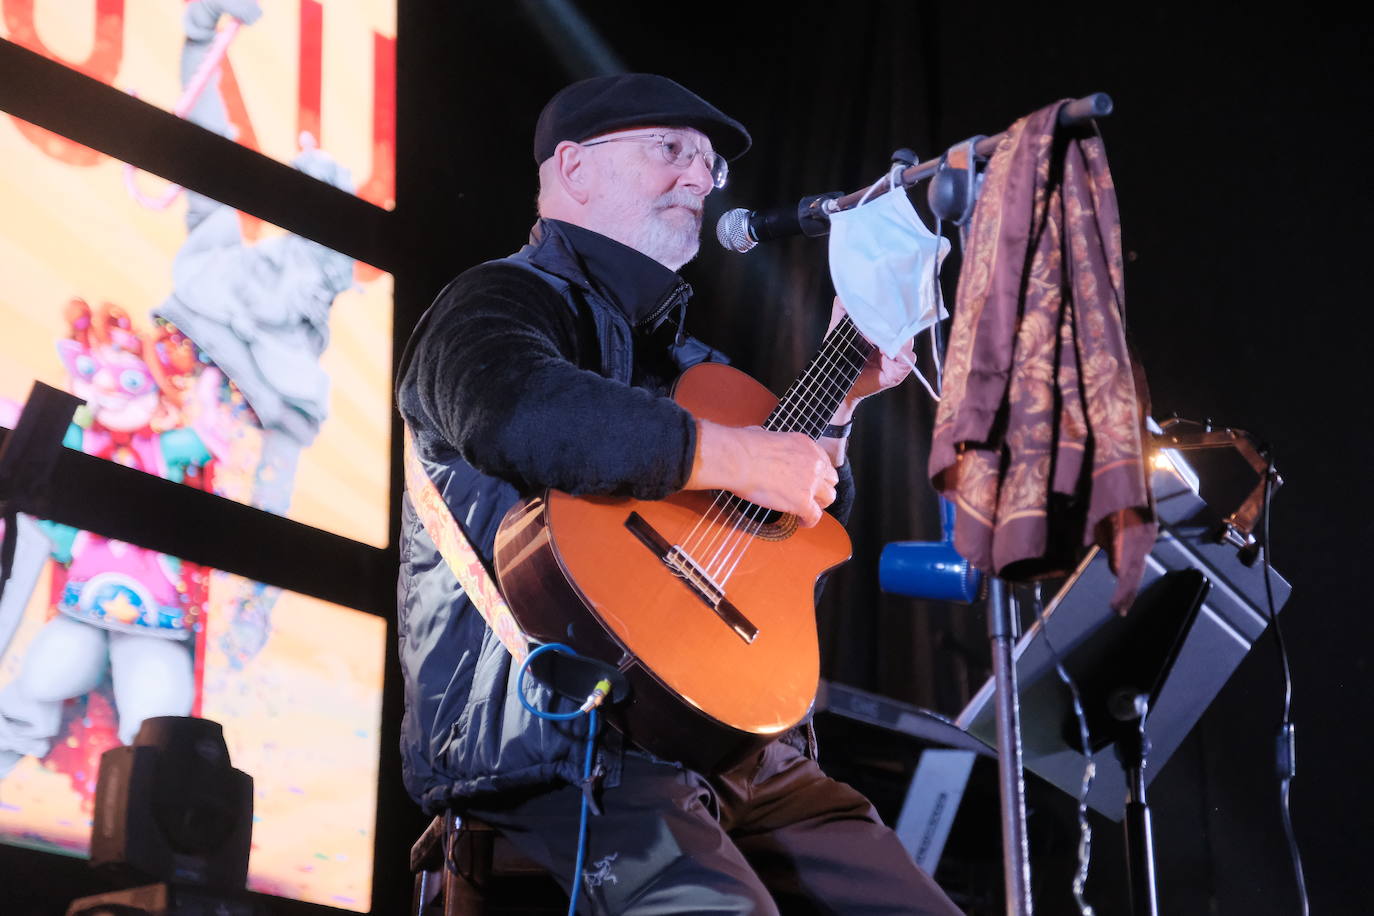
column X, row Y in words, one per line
column 506, row 376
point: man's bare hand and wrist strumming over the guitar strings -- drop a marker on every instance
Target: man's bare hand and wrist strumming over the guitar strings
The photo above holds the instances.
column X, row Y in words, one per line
column 782, row 472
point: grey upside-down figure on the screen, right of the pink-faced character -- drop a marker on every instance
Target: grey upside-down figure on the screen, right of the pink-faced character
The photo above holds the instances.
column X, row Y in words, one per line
column 258, row 312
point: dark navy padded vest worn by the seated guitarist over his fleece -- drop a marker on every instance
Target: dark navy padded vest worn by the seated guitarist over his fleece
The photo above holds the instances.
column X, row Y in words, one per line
column 464, row 735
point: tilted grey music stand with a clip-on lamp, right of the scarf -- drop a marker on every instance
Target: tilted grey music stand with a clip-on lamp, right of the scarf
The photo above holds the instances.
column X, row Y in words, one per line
column 1200, row 609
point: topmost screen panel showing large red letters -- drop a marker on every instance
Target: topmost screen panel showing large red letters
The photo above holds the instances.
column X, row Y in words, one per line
column 337, row 65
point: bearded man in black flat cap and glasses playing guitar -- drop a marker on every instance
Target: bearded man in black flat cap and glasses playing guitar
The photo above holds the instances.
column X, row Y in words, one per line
column 550, row 370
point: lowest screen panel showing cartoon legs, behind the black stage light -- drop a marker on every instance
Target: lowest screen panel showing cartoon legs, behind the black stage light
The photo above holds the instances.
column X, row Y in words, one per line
column 98, row 635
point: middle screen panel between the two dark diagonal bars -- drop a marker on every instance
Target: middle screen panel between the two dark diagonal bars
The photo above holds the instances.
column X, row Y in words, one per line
column 211, row 348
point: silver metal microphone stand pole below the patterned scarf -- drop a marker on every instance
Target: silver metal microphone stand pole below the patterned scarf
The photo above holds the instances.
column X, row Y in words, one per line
column 1016, row 854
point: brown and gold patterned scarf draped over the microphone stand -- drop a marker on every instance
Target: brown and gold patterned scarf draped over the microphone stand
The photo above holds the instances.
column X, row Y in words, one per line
column 1039, row 436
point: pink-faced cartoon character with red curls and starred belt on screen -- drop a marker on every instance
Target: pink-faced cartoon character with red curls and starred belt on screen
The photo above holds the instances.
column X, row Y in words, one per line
column 119, row 610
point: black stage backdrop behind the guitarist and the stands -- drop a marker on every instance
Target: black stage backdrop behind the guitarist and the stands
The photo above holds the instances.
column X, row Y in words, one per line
column 1240, row 150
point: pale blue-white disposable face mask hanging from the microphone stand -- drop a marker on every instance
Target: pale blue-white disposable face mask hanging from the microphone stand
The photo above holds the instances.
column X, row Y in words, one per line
column 884, row 263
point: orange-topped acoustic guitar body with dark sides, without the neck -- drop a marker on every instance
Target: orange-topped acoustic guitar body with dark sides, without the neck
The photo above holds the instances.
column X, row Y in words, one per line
column 715, row 674
